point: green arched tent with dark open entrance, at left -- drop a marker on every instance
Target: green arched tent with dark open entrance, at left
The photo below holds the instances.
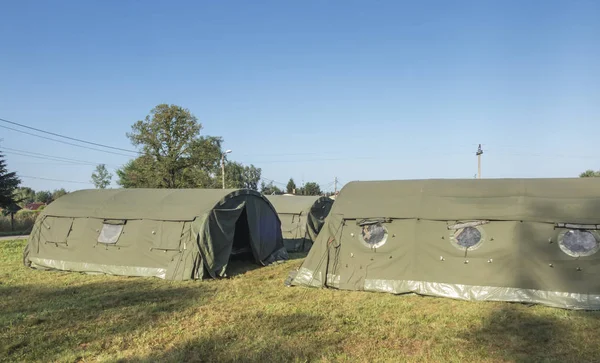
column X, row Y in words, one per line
column 172, row 234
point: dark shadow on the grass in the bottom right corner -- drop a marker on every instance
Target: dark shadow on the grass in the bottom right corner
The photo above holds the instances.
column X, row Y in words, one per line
column 517, row 334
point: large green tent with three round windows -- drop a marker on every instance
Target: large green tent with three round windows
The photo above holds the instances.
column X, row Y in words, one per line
column 519, row 240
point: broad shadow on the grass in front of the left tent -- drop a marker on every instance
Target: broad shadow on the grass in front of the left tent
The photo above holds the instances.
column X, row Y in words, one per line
column 47, row 323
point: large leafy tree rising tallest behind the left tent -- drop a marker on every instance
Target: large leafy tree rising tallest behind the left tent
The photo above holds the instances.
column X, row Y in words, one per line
column 174, row 155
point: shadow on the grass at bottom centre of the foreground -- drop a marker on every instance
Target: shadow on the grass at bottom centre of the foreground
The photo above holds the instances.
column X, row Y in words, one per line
column 258, row 338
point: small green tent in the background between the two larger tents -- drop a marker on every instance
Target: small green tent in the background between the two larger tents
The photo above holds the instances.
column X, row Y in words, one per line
column 302, row 217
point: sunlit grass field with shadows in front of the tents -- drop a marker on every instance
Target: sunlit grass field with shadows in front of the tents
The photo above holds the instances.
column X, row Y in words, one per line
column 253, row 317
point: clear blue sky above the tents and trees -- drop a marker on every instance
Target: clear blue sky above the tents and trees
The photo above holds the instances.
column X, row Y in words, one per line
column 361, row 90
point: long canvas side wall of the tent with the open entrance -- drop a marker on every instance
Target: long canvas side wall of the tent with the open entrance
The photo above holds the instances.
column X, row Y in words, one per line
column 148, row 248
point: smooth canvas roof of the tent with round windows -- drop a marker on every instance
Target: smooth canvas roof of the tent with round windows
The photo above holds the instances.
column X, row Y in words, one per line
column 541, row 200
